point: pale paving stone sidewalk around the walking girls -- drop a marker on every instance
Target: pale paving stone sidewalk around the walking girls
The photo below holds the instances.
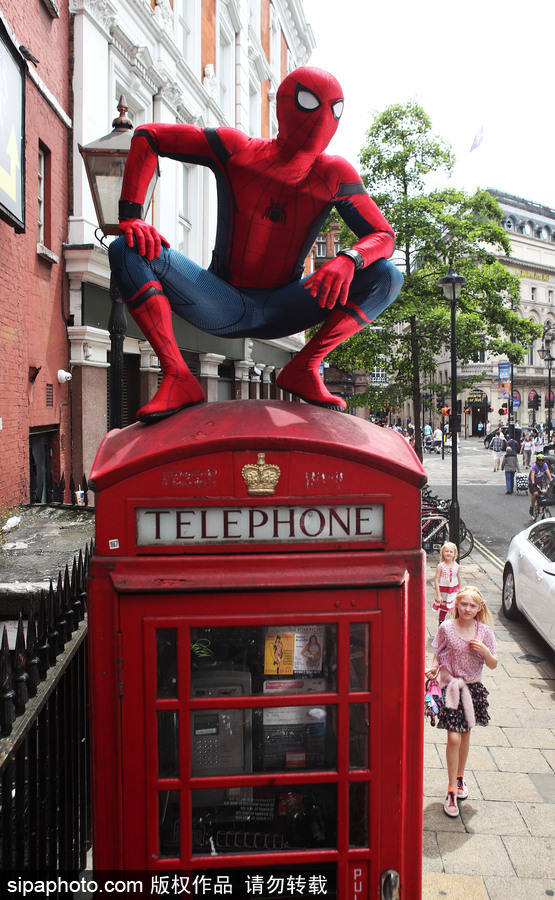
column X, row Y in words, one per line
column 503, row 843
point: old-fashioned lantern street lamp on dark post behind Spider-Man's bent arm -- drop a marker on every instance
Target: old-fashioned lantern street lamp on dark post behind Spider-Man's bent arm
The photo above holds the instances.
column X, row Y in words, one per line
column 104, row 161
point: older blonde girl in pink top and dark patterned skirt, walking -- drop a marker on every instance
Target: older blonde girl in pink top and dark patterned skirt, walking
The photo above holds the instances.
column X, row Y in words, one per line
column 463, row 644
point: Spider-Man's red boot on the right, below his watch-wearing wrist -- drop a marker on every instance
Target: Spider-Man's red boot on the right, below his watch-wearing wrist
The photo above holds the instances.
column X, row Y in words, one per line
column 301, row 376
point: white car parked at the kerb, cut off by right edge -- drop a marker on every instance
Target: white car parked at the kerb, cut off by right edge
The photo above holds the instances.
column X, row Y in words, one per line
column 529, row 578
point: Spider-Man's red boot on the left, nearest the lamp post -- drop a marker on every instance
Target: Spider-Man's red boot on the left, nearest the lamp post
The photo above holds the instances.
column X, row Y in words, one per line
column 178, row 388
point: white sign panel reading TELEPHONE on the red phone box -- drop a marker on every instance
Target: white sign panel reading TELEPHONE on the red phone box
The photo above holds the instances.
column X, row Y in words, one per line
column 253, row 523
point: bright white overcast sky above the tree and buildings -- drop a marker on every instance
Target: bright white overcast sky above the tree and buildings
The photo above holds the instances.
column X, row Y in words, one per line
column 479, row 64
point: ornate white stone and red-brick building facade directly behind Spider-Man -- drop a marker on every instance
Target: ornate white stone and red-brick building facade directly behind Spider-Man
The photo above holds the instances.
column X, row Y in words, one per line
column 207, row 62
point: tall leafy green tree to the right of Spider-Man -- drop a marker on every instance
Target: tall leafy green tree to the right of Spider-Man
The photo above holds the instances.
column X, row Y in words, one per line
column 432, row 226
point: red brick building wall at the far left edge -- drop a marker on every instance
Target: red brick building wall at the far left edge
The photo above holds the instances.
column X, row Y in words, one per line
column 33, row 294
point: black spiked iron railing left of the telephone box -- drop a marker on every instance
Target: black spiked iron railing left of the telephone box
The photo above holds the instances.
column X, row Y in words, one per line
column 44, row 733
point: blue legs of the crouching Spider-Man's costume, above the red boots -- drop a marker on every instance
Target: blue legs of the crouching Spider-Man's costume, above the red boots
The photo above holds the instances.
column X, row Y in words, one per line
column 219, row 308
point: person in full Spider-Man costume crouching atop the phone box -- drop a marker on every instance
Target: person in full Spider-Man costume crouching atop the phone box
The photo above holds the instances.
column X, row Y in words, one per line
column 273, row 197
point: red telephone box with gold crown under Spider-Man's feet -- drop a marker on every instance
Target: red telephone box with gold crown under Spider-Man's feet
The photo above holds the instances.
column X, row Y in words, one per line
column 256, row 626
